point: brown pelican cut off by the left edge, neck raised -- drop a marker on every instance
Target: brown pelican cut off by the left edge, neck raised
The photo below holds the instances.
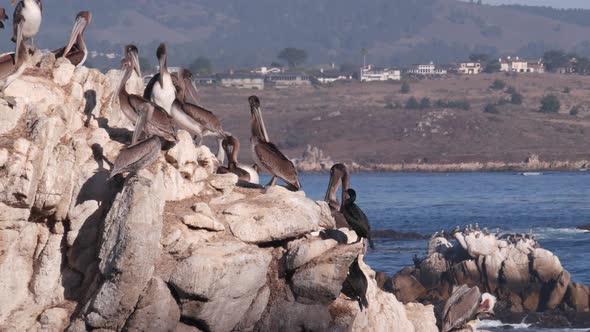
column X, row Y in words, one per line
column 12, row 65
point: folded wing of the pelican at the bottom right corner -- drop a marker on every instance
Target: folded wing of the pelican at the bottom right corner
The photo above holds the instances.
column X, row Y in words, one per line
column 460, row 307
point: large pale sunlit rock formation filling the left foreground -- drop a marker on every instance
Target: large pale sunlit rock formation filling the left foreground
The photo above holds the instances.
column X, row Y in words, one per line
column 176, row 248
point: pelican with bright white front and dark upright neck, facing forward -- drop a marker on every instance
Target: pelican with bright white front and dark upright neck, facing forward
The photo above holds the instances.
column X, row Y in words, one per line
column 160, row 89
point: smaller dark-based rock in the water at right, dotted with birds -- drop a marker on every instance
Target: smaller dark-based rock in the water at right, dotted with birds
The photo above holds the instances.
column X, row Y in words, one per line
column 524, row 277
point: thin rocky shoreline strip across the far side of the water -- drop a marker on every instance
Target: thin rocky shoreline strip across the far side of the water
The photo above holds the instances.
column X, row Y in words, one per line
column 553, row 166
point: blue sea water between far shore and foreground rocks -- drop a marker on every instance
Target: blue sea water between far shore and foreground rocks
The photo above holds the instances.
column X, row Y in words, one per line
column 551, row 205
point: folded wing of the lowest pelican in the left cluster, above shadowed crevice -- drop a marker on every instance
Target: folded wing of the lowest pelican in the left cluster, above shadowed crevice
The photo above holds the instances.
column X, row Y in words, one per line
column 135, row 157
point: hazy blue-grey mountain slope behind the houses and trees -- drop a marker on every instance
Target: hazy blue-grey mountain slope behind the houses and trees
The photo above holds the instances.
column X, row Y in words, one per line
column 395, row 32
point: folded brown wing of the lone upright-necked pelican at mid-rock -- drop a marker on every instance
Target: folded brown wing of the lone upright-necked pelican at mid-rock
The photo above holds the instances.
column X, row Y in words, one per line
column 276, row 162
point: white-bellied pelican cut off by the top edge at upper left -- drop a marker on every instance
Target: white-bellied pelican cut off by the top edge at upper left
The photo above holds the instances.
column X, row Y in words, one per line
column 31, row 11
